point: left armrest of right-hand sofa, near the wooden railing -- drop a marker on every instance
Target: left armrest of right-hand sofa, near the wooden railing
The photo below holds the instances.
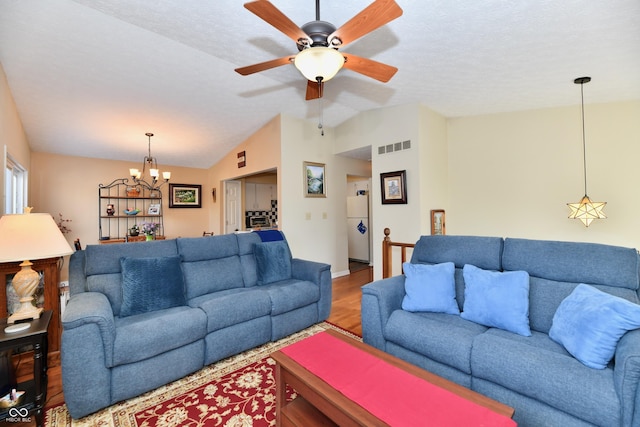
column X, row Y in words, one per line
column 379, row 300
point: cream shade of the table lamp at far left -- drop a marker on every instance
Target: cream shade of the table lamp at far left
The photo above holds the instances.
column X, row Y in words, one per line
column 31, row 236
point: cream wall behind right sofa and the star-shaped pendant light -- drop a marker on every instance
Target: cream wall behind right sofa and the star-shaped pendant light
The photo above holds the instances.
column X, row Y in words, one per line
column 512, row 174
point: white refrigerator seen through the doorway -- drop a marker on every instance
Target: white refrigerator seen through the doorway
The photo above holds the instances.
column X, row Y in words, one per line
column 358, row 227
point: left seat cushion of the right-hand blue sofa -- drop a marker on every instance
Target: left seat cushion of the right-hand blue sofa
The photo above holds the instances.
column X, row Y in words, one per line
column 447, row 338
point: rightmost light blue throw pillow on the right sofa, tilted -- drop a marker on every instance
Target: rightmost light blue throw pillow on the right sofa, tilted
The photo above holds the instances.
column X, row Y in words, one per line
column 589, row 323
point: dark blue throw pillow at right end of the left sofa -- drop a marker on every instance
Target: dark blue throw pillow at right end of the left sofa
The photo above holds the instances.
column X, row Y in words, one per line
column 273, row 260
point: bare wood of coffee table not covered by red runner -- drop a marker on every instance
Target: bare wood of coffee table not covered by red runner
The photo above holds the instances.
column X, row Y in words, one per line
column 319, row 404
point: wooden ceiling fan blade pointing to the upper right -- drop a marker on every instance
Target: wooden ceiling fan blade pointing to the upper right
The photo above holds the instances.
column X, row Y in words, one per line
column 370, row 18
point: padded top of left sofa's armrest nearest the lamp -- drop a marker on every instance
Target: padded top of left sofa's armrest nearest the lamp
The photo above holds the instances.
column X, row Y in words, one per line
column 92, row 308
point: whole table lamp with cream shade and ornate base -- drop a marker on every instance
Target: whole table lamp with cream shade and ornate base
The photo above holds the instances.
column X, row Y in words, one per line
column 25, row 237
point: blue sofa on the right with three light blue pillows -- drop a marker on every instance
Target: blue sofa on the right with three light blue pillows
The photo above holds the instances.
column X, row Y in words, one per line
column 535, row 374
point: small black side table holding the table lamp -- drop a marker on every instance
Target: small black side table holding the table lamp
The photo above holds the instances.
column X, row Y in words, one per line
column 36, row 389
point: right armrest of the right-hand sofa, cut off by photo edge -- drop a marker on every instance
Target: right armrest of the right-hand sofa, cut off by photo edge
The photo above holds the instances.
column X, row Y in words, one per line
column 626, row 376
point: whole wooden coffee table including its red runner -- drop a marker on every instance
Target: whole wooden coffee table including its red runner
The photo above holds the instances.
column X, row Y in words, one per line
column 320, row 404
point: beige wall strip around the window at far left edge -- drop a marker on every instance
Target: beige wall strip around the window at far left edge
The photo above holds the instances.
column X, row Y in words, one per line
column 12, row 137
